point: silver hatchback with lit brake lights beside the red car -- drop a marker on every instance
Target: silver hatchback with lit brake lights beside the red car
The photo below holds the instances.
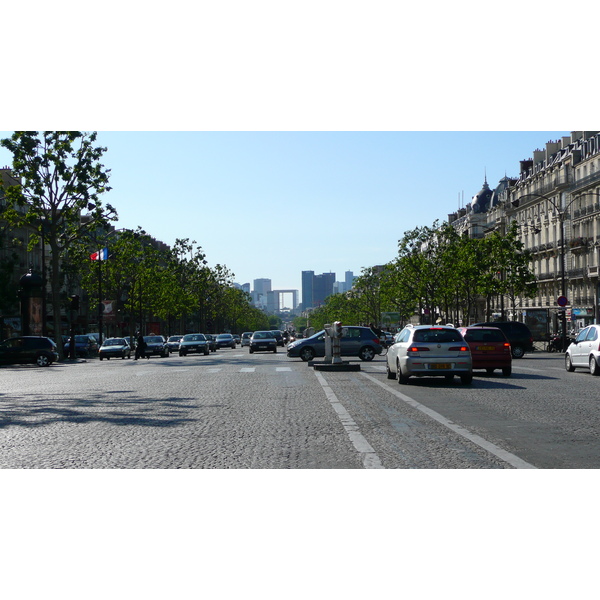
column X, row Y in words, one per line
column 429, row 351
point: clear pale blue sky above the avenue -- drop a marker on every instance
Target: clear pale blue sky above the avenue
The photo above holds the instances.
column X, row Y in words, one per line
column 272, row 204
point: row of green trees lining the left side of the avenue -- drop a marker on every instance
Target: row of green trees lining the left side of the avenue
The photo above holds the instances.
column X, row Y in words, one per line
column 58, row 201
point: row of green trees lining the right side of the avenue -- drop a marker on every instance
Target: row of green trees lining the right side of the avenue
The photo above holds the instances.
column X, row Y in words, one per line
column 437, row 274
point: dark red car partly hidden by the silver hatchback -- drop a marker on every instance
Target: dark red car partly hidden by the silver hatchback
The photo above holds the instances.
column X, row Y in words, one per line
column 490, row 348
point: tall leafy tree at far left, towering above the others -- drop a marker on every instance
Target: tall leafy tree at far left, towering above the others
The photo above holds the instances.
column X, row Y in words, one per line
column 60, row 177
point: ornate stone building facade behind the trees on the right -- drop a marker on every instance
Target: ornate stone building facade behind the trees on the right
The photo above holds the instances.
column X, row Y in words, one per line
column 555, row 202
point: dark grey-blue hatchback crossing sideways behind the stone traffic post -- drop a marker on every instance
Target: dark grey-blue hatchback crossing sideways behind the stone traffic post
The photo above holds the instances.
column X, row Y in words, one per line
column 355, row 341
